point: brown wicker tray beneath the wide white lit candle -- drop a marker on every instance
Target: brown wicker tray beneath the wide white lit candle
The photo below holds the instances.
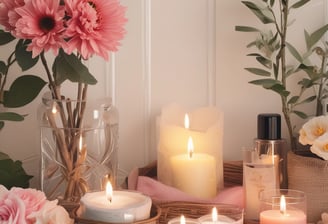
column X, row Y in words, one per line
column 155, row 213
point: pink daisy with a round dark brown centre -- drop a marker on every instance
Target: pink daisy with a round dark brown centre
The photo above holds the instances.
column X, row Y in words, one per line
column 42, row 22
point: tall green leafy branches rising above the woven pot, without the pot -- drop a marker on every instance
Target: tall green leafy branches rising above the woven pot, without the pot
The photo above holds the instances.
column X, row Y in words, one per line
column 272, row 50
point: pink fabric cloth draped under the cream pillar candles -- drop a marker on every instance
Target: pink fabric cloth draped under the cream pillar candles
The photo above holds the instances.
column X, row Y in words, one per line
column 161, row 192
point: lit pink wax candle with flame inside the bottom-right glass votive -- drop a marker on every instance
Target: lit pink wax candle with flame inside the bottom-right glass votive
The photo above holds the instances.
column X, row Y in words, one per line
column 282, row 216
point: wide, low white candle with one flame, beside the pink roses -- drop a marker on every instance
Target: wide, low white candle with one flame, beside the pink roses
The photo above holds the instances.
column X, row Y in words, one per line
column 115, row 206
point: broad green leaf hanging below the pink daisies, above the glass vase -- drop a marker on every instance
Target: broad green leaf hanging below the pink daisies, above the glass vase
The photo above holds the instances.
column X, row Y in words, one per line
column 71, row 68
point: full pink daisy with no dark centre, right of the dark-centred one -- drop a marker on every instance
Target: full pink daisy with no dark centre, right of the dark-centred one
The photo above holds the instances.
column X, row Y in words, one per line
column 95, row 26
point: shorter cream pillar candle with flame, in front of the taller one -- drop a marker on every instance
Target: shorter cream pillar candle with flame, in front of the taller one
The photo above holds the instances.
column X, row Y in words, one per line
column 195, row 173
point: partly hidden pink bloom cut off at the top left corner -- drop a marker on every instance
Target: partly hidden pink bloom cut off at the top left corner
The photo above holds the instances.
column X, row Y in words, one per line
column 8, row 16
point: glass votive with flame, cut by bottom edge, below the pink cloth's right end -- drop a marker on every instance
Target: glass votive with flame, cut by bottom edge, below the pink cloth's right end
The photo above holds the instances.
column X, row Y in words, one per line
column 224, row 214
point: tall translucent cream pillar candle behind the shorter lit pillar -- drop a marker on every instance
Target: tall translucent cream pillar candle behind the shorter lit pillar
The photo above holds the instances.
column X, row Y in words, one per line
column 206, row 130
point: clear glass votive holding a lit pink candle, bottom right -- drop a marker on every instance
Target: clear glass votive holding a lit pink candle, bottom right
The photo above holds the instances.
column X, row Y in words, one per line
column 282, row 206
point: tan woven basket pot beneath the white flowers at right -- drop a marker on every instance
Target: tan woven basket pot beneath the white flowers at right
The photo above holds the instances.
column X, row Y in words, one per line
column 311, row 176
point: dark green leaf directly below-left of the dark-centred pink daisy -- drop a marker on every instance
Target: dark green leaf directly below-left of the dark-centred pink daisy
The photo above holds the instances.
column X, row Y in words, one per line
column 24, row 57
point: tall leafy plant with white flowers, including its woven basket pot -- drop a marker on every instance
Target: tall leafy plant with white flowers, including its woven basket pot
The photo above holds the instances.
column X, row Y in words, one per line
column 274, row 54
